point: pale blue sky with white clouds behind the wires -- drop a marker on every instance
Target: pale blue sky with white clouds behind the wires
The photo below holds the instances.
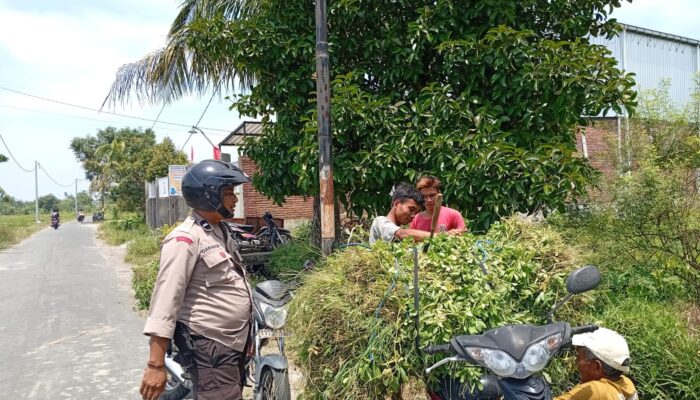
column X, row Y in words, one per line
column 69, row 52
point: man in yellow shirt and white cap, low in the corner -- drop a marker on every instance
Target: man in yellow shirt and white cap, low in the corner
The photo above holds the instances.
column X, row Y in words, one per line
column 602, row 357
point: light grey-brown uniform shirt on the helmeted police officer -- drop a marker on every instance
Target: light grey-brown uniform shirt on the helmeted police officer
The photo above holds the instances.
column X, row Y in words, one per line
column 201, row 282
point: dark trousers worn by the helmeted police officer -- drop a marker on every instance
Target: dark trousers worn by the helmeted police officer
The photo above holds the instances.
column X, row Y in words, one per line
column 217, row 371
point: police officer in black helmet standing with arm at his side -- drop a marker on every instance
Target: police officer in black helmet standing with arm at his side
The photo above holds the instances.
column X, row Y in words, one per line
column 201, row 297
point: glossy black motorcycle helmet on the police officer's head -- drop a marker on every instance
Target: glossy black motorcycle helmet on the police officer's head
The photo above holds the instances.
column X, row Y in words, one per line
column 203, row 185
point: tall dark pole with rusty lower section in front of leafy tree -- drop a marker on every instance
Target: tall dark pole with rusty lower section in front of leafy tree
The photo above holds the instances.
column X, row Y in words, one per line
column 323, row 103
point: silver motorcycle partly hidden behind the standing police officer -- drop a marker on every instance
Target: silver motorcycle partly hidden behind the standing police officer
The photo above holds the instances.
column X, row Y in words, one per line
column 268, row 373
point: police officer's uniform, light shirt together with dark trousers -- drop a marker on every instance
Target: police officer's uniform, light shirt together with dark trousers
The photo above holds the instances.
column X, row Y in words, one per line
column 202, row 285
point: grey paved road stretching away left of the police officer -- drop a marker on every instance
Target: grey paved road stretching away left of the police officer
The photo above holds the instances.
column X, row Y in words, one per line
column 68, row 329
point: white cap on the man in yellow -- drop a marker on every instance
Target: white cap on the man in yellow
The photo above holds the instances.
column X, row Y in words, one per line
column 607, row 345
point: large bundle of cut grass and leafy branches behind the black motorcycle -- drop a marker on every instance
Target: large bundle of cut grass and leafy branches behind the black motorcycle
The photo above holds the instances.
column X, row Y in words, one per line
column 353, row 317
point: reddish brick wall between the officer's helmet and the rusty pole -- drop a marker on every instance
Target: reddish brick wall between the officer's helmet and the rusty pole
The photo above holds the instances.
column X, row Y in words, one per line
column 295, row 209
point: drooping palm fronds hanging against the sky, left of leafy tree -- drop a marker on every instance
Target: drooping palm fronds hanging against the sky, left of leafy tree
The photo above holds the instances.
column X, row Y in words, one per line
column 177, row 69
